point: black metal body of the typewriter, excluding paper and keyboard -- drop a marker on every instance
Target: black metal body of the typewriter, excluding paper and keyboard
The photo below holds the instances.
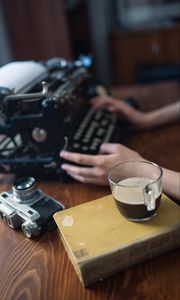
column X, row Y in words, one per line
column 35, row 126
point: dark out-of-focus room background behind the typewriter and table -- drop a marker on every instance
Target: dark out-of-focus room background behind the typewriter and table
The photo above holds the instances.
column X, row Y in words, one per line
column 132, row 41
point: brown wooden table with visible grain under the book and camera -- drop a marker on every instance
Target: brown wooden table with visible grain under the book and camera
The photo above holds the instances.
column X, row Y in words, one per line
column 41, row 270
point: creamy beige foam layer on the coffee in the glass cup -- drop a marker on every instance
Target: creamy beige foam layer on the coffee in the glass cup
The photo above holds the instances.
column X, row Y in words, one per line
column 132, row 191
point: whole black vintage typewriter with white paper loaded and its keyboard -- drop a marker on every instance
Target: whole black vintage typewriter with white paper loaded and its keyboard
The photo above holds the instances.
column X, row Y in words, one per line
column 44, row 108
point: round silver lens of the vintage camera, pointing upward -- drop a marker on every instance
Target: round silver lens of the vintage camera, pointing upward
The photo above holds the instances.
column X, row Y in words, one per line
column 24, row 189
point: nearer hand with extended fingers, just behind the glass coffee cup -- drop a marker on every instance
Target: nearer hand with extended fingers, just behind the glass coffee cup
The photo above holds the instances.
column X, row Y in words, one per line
column 94, row 168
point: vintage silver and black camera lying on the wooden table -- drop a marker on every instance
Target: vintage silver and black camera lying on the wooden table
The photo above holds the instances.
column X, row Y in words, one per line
column 27, row 207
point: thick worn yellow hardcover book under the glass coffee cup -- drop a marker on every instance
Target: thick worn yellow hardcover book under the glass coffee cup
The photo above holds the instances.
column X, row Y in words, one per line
column 100, row 241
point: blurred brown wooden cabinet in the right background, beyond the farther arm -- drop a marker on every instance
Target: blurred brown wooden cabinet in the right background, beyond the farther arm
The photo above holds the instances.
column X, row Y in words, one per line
column 130, row 50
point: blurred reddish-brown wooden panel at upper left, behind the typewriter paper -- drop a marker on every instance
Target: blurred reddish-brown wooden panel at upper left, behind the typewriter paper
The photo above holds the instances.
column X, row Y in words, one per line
column 37, row 29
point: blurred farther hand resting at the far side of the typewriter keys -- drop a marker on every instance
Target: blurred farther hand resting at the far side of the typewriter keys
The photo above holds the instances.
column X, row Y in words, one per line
column 116, row 106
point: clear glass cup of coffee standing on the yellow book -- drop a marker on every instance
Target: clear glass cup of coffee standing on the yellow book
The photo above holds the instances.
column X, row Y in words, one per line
column 136, row 188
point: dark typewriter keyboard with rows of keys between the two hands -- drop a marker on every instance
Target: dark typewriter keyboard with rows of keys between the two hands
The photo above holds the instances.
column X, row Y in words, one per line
column 96, row 128
